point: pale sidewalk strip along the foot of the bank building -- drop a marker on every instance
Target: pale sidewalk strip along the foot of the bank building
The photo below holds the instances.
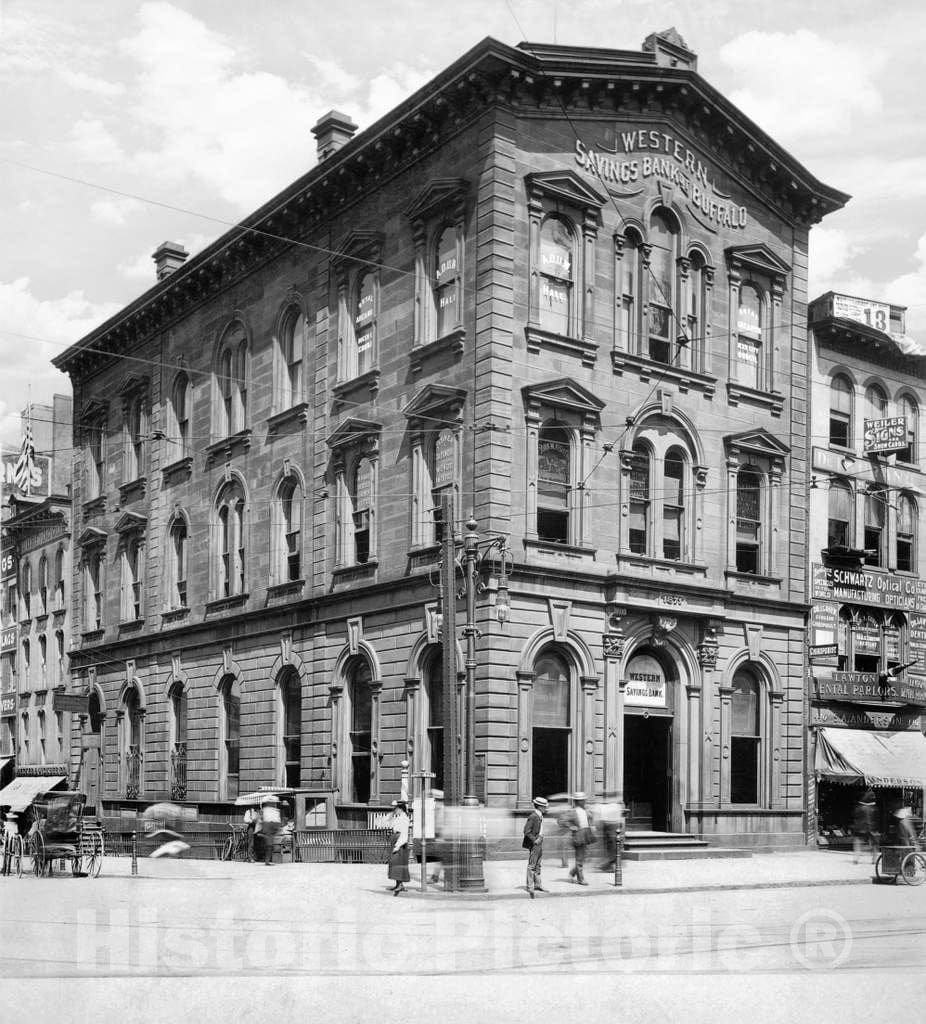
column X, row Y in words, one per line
column 506, row 879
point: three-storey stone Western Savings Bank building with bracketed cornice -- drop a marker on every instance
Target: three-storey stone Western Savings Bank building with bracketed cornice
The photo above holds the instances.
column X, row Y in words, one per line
column 566, row 285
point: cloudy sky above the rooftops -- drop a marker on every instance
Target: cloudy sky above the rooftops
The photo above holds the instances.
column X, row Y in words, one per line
column 128, row 123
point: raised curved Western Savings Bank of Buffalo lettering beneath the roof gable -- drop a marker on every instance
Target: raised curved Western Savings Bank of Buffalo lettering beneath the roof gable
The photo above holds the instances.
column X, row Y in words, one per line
column 626, row 159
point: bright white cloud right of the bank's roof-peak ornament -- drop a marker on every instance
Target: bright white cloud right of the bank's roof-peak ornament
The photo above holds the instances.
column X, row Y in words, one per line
column 801, row 86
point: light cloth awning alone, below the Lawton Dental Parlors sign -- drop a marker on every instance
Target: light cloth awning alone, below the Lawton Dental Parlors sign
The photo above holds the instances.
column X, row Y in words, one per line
column 877, row 759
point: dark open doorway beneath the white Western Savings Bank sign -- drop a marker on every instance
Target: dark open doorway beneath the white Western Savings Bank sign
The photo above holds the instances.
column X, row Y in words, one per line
column 648, row 773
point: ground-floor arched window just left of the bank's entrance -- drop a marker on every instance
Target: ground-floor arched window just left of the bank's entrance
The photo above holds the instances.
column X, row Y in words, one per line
column 552, row 733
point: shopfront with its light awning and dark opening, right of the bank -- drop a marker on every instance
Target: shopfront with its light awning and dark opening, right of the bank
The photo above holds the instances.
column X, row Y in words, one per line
column 848, row 762
